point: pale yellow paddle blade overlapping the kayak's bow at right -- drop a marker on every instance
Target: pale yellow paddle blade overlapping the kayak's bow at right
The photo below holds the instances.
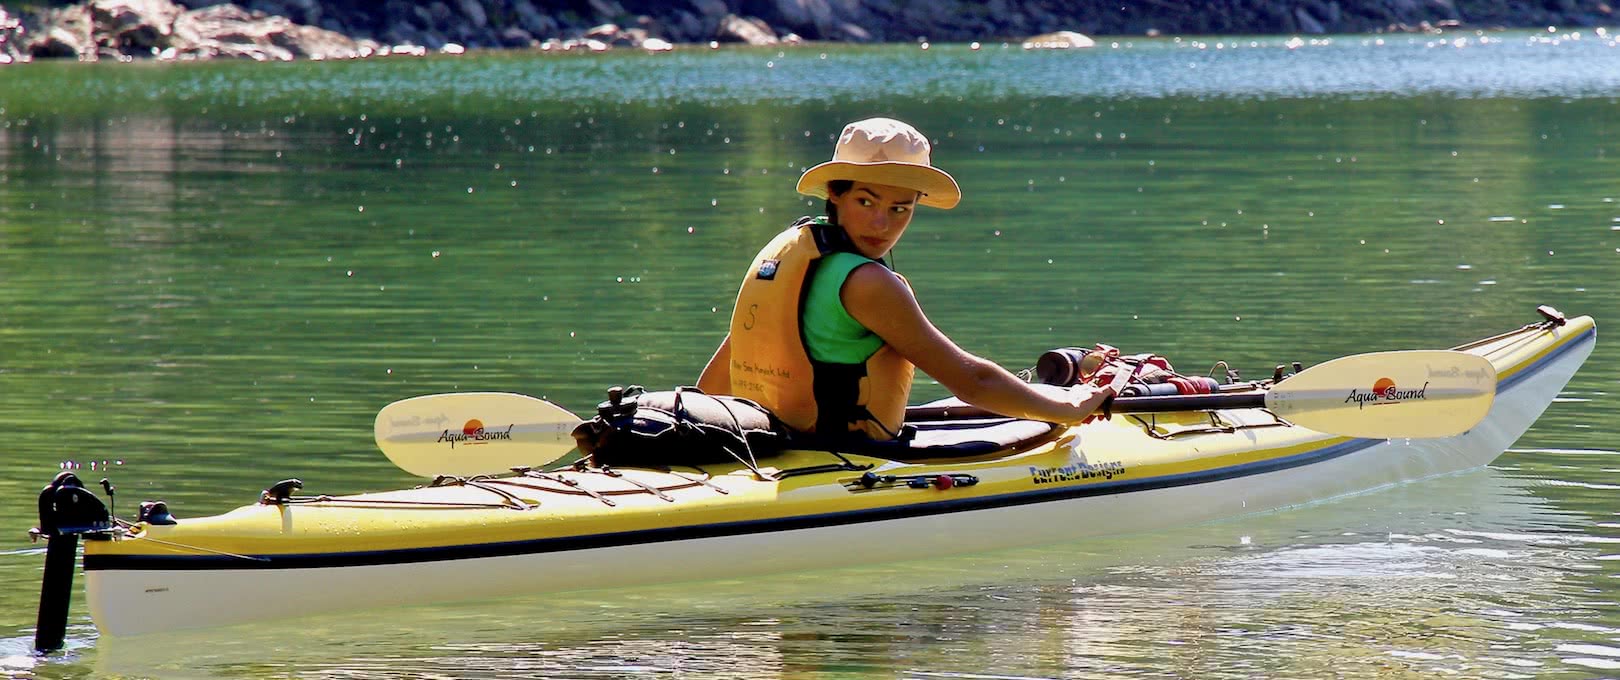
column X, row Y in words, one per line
column 1389, row 394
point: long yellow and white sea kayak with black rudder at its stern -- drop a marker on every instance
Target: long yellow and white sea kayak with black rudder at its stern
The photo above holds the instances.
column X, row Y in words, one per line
column 989, row 483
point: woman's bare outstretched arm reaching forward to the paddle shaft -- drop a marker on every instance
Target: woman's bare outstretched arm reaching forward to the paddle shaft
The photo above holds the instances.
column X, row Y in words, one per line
column 885, row 305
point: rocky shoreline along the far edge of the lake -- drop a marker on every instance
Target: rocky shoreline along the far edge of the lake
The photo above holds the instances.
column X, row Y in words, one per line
column 289, row 30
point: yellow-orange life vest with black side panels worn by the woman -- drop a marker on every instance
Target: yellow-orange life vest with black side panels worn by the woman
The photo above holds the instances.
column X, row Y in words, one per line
column 772, row 367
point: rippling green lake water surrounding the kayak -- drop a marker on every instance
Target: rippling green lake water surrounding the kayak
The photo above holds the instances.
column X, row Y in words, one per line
column 216, row 274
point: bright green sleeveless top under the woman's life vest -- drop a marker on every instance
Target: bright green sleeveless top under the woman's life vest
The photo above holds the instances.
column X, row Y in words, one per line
column 830, row 333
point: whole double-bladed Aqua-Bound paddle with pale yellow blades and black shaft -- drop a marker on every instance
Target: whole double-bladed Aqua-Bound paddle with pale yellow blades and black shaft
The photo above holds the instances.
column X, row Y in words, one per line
column 1376, row 396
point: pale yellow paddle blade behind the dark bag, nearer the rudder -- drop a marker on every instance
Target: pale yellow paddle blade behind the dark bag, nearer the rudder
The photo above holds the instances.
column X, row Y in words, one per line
column 474, row 433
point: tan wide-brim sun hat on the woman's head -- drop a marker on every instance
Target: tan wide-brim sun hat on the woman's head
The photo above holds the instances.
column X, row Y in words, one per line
column 884, row 151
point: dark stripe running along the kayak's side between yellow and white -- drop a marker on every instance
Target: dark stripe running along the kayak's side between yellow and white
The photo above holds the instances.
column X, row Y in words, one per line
column 775, row 525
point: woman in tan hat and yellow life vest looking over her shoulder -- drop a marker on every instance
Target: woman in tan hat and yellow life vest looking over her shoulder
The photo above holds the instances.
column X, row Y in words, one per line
column 827, row 336
